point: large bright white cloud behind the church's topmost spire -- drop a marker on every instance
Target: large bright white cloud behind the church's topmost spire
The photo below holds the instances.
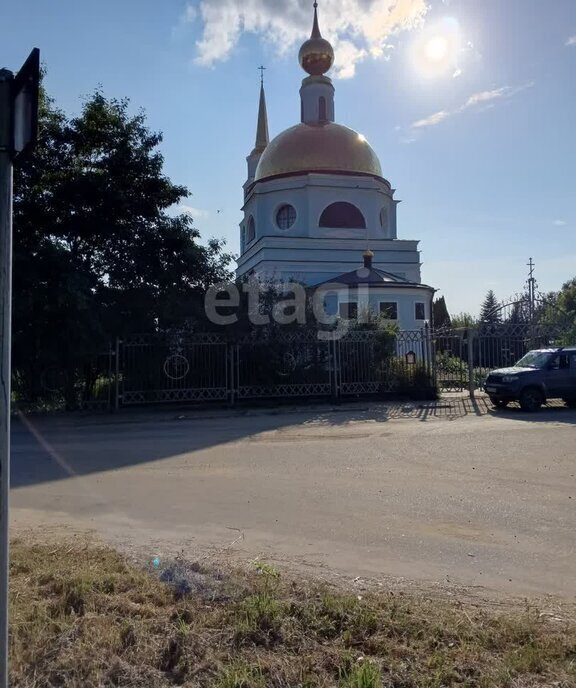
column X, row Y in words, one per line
column 357, row 28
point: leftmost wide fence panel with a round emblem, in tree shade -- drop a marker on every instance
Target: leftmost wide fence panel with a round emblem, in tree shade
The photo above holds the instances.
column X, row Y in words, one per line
column 164, row 368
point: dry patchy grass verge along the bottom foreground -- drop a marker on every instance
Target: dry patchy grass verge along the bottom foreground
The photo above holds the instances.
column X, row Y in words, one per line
column 85, row 617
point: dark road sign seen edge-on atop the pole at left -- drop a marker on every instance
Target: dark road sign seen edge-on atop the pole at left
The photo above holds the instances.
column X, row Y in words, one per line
column 25, row 89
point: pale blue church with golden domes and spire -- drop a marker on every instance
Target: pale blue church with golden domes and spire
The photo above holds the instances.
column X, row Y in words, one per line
column 318, row 210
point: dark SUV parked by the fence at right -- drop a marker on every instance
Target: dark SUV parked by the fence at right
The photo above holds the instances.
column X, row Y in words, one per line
column 540, row 375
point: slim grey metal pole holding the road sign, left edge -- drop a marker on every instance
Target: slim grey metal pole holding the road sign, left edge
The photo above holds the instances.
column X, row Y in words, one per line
column 6, row 78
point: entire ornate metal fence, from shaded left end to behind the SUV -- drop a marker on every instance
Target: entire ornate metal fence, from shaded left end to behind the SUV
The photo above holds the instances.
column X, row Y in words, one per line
column 162, row 368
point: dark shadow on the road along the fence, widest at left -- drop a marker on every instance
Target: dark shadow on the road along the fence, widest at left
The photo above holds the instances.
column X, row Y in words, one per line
column 56, row 448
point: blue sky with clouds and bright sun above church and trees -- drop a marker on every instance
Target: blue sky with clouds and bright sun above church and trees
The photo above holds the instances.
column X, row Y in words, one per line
column 470, row 105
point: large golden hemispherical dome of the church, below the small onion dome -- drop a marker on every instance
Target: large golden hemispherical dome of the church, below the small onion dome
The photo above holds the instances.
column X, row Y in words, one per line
column 323, row 147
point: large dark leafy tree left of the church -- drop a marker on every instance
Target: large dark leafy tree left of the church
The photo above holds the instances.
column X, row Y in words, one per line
column 98, row 251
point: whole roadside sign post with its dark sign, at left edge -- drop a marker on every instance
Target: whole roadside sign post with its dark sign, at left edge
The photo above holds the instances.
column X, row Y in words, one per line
column 18, row 132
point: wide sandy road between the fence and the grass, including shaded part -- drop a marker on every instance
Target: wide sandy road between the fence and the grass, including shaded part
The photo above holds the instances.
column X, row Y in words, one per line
column 479, row 501
